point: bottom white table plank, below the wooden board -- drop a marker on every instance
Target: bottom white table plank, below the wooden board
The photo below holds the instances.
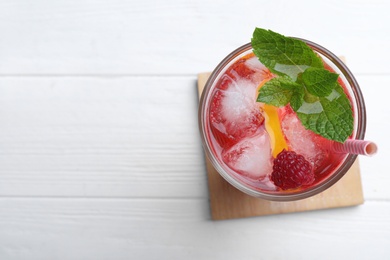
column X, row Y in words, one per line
column 173, row 229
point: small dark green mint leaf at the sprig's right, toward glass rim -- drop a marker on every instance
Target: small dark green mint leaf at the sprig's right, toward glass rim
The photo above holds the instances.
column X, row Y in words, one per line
column 319, row 82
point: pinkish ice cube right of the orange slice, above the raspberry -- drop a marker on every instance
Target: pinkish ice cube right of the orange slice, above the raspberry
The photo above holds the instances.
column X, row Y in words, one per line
column 303, row 141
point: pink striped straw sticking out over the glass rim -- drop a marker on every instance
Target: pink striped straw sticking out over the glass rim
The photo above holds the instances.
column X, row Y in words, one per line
column 355, row 147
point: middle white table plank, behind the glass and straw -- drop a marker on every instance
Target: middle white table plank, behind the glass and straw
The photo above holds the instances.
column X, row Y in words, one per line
column 128, row 137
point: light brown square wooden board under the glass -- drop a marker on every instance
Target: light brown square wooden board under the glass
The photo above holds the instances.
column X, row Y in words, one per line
column 227, row 202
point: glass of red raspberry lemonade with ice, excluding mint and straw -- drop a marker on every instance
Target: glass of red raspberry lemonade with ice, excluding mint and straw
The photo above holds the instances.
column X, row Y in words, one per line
column 265, row 150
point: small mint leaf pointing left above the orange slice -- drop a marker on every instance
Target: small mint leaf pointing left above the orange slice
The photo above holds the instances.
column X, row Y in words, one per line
column 280, row 91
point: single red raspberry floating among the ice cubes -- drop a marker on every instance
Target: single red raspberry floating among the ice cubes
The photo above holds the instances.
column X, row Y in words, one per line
column 291, row 170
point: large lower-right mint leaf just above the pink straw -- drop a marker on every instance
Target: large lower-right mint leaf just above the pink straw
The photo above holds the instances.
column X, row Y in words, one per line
column 330, row 116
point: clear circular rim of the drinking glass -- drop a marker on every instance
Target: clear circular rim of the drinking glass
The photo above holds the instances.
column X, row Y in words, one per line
column 288, row 196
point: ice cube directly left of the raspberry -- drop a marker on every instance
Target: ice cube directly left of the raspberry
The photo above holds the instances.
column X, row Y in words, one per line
column 251, row 157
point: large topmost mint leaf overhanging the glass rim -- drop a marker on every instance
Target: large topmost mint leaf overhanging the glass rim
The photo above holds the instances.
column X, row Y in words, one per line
column 283, row 55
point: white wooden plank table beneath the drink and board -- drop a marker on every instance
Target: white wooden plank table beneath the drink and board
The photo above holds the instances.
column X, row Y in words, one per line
column 100, row 156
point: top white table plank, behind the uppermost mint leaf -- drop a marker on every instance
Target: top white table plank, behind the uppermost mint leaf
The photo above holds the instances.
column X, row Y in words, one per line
column 178, row 37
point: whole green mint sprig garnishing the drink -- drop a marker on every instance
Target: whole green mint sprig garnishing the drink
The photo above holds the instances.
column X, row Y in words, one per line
column 312, row 91
